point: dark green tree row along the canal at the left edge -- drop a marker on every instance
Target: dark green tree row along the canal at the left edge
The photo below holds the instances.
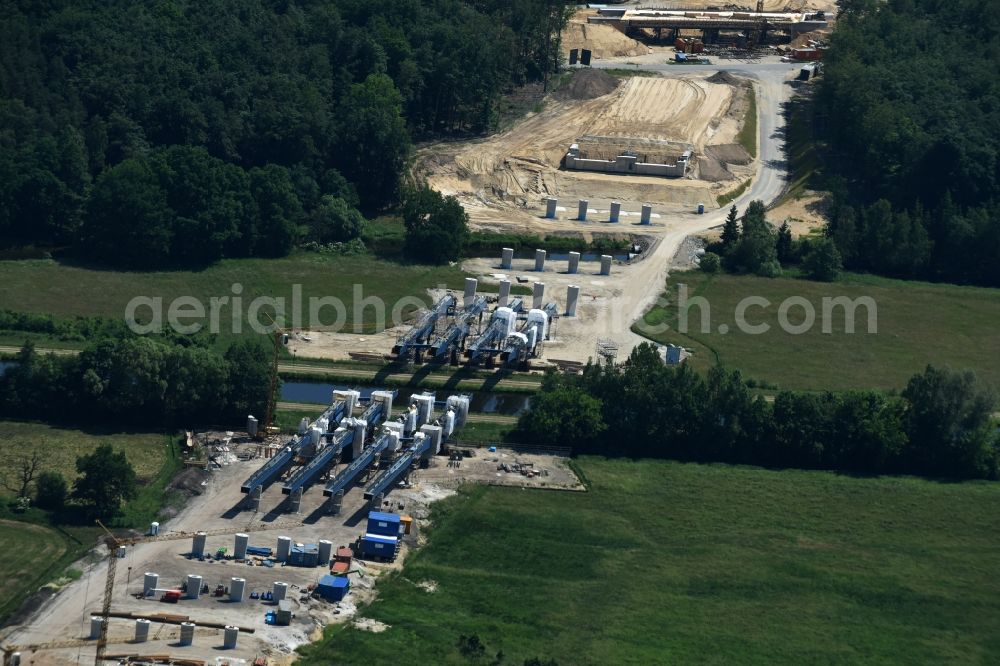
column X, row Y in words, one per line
column 139, row 381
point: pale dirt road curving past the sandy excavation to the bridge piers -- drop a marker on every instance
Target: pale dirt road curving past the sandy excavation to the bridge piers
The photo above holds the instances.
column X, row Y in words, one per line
column 609, row 305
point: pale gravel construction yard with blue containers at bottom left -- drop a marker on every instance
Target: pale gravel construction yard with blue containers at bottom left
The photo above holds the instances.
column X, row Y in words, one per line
column 63, row 623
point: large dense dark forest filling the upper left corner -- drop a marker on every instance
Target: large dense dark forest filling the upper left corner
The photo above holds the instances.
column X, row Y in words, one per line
column 179, row 132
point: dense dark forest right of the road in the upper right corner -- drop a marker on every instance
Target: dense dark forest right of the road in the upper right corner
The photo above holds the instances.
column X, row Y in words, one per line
column 910, row 105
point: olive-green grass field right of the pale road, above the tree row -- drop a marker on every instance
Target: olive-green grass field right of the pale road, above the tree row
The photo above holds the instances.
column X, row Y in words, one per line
column 918, row 323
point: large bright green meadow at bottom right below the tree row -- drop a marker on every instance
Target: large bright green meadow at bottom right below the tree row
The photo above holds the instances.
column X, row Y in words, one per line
column 668, row 563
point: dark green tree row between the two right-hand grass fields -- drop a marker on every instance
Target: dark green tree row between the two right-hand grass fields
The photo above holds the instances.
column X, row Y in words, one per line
column 940, row 426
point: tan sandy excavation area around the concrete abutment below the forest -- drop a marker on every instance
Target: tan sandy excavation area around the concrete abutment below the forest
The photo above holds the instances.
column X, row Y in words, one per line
column 503, row 180
